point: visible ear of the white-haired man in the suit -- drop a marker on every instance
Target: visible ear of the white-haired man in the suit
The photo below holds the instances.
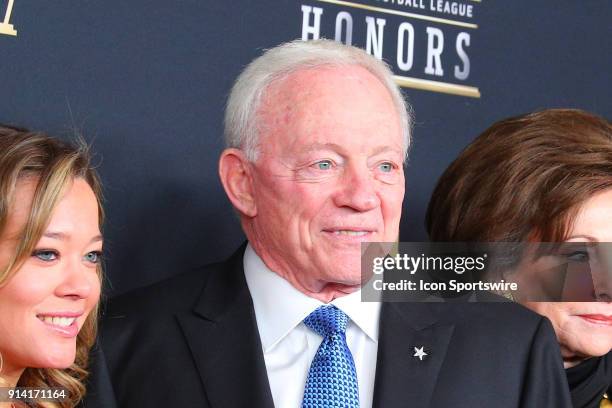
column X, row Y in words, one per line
column 237, row 179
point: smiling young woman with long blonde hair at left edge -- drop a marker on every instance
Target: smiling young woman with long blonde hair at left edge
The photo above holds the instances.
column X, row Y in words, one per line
column 50, row 250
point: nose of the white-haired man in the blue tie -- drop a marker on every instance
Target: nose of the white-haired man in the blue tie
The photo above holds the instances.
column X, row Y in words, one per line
column 357, row 190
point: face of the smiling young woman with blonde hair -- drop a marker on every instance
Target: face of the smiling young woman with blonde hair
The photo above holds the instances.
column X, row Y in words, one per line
column 45, row 303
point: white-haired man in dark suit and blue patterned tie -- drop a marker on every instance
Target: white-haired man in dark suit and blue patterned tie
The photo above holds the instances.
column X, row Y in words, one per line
column 318, row 133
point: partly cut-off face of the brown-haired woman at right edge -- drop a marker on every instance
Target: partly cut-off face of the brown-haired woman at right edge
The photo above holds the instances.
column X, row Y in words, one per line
column 584, row 329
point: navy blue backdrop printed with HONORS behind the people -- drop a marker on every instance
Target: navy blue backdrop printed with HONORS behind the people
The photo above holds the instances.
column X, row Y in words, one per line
column 146, row 83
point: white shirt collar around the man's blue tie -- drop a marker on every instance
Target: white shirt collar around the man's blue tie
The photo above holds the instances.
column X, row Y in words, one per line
column 279, row 307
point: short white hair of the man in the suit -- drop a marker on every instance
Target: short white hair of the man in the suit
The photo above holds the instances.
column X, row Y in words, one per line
column 241, row 127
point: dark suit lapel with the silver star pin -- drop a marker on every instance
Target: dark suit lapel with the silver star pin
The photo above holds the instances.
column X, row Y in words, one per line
column 402, row 379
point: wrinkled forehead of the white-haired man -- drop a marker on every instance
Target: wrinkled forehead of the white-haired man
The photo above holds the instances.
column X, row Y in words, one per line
column 328, row 100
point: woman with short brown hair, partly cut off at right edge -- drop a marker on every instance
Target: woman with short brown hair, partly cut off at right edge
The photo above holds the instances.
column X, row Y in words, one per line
column 542, row 177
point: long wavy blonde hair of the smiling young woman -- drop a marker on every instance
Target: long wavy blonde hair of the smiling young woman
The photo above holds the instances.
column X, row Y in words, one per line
column 54, row 164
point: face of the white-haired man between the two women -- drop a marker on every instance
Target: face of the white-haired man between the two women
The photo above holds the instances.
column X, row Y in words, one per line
column 329, row 175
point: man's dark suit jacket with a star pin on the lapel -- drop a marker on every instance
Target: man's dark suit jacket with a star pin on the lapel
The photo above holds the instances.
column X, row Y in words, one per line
column 192, row 341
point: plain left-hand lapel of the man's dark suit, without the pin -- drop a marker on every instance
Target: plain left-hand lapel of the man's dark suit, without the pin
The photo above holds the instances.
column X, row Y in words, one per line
column 224, row 341
